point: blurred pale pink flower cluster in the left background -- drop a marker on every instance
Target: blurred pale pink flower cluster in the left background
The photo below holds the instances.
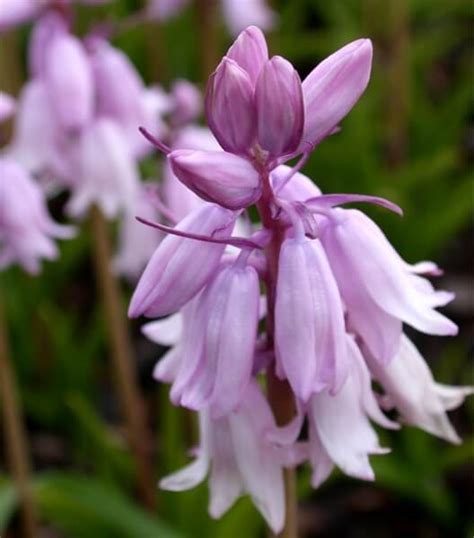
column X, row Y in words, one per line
column 76, row 128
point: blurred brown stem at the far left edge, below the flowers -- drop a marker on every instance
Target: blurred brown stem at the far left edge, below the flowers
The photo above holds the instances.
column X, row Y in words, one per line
column 14, row 434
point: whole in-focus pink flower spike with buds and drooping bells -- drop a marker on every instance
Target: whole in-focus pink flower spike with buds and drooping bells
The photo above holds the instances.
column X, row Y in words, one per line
column 336, row 292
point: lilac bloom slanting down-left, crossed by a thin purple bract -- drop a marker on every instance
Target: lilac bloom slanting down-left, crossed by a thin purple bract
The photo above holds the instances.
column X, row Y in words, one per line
column 180, row 267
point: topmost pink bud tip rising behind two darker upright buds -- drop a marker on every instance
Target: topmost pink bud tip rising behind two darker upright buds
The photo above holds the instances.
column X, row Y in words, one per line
column 250, row 52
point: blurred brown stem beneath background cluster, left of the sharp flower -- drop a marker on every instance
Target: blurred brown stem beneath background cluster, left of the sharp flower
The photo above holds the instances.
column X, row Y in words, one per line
column 122, row 356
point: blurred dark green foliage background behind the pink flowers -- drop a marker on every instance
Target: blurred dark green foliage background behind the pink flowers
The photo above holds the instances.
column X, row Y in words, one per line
column 410, row 139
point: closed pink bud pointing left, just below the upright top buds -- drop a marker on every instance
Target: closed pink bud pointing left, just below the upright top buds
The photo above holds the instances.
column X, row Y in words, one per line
column 217, row 176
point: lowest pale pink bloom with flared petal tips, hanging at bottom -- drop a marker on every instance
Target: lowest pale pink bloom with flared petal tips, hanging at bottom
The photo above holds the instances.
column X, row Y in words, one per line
column 236, row 453
